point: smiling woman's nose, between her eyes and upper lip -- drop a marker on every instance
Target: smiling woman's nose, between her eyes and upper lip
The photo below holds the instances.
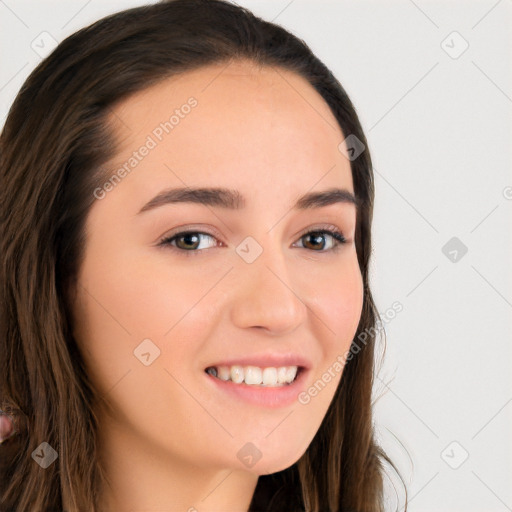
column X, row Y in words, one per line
column 265, row 295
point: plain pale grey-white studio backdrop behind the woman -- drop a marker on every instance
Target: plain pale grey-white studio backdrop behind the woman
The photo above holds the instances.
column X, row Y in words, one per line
column 432, row 84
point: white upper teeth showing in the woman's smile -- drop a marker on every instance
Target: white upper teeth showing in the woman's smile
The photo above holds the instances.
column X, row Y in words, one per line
column 255, row 375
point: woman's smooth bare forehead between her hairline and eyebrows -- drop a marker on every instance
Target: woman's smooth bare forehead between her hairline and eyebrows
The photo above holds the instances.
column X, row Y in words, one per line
column 250, row 125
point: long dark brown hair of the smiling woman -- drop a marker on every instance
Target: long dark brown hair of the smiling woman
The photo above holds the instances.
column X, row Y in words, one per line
column 54, row 142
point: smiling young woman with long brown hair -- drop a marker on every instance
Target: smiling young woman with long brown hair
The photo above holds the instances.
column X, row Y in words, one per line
column 187, row 323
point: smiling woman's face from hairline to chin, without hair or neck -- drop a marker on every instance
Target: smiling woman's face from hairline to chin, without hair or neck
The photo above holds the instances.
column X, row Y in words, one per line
column 248, row 286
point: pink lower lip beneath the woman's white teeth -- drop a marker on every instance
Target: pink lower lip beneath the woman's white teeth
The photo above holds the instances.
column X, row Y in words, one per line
column 269, row 397
